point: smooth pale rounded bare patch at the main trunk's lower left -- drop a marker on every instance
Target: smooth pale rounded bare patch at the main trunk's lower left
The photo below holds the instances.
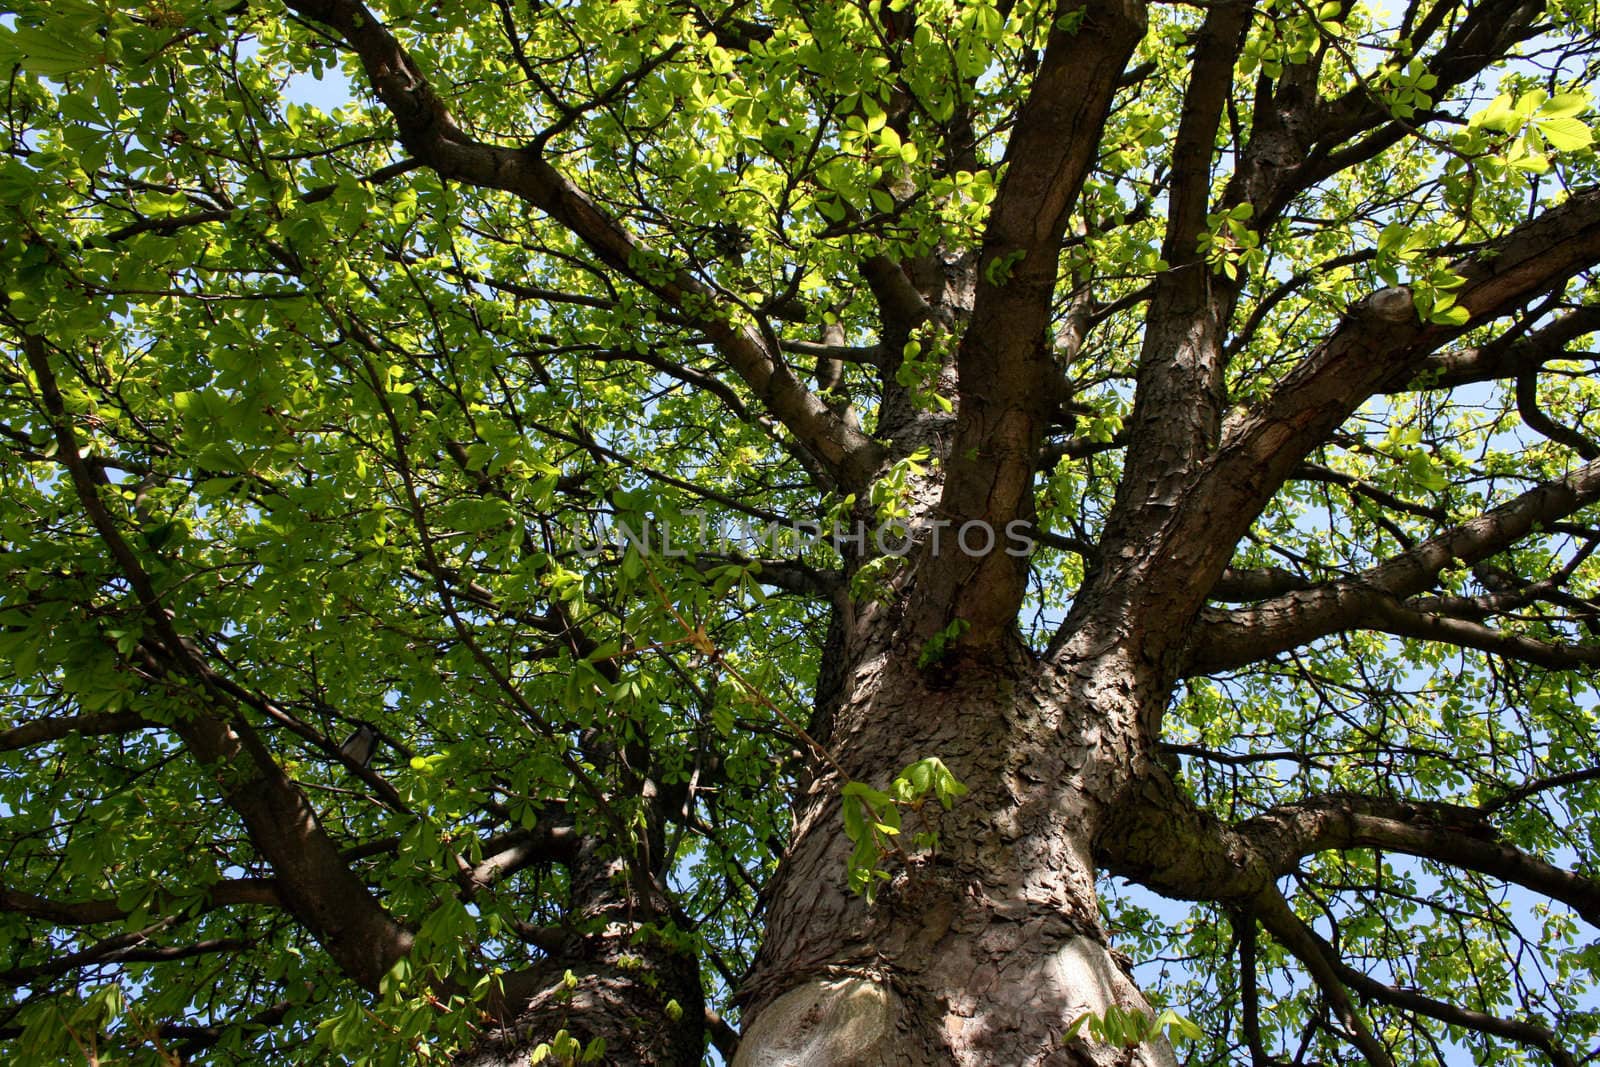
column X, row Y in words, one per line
column 849, row 1023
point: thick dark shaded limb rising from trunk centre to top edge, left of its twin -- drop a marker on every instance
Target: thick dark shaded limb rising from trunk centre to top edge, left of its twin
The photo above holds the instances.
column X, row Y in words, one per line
column 1007, row 375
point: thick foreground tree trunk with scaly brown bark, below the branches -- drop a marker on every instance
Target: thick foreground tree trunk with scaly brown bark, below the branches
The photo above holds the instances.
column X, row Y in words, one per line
column 986, row 949
